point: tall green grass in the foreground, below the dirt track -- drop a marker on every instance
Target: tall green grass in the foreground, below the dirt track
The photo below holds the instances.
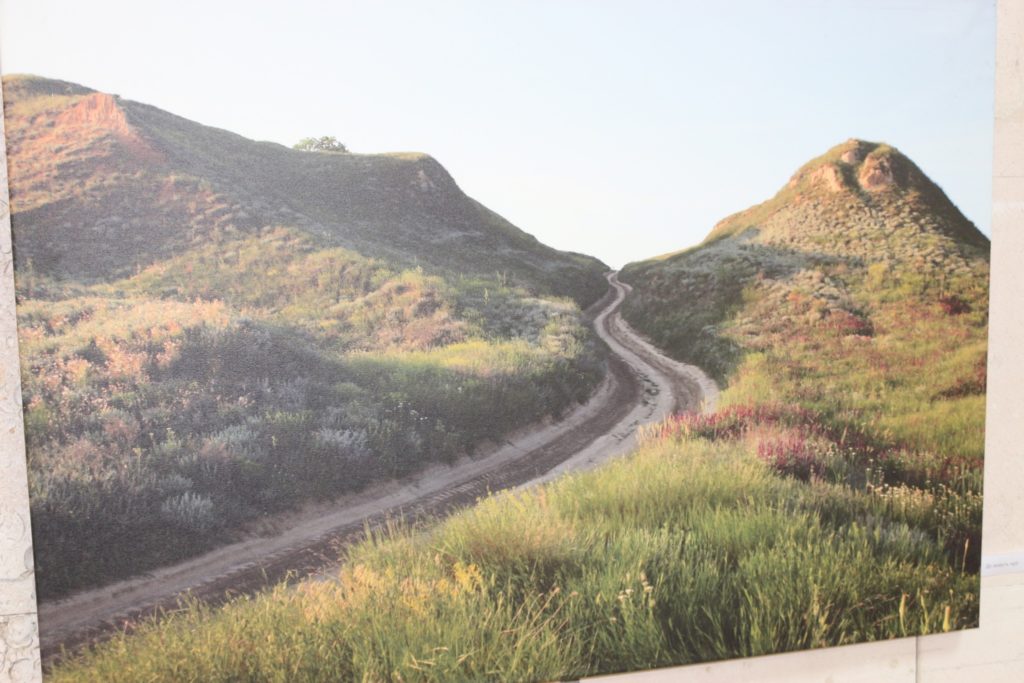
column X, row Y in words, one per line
column 693, row 549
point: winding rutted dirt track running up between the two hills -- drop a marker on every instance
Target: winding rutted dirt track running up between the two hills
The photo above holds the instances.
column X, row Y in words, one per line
column 643, row 387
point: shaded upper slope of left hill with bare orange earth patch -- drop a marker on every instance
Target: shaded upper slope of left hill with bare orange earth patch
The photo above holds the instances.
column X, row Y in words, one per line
column 103, row 186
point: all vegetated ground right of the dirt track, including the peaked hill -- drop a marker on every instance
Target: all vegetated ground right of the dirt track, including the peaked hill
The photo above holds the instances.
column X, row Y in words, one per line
column 834, row 498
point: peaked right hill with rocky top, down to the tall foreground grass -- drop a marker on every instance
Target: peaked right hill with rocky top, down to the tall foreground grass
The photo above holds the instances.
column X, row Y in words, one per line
column 859, row 293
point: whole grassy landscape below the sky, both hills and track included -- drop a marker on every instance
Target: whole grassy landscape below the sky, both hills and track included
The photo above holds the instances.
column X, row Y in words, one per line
column 245, row 365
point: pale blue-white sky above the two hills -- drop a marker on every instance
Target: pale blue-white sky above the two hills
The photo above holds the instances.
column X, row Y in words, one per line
column 618, row 130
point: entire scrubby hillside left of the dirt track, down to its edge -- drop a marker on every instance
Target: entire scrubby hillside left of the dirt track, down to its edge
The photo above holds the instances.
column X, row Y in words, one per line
column 215, row 329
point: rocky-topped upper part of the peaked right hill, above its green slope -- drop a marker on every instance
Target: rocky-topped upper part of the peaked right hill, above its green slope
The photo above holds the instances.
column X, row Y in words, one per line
column 862, row 215
